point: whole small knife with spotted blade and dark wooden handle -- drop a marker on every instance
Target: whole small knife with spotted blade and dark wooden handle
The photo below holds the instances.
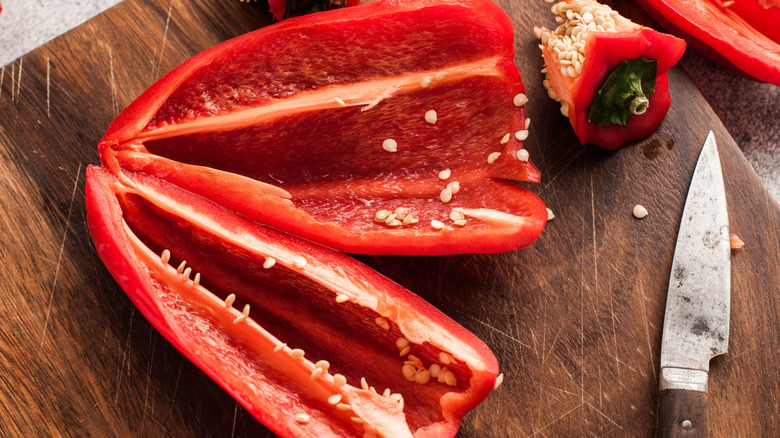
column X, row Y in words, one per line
column 696, row 322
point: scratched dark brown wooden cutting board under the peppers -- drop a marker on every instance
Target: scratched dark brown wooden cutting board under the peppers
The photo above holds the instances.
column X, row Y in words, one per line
column 575, row 319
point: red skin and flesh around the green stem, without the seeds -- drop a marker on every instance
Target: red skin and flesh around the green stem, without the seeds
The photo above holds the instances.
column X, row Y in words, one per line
column 605, row 51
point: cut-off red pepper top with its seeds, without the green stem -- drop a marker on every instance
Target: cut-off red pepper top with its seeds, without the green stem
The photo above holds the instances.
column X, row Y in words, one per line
column 601, row 53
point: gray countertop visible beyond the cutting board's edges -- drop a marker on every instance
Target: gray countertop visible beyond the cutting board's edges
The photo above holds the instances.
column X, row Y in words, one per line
column 749, row 110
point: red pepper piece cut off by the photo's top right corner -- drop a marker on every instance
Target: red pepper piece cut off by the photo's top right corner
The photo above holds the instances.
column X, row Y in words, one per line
column 742, row 35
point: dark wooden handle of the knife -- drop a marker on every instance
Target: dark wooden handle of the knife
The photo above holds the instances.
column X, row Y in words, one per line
column 682, row 413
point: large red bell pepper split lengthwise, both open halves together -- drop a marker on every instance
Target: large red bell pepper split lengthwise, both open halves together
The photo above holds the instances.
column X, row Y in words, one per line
column 218, row 180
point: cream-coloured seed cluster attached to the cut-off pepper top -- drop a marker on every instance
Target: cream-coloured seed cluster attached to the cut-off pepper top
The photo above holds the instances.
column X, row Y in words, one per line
column 576, row 21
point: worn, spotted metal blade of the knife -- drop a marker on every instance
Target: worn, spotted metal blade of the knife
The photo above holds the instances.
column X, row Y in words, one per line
column 696, row 324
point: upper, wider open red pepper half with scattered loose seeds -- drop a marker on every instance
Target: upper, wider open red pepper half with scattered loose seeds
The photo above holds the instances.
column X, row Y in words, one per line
column 305, row 106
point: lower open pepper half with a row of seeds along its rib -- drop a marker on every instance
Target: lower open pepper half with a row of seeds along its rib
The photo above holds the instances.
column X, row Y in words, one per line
column 312, row 298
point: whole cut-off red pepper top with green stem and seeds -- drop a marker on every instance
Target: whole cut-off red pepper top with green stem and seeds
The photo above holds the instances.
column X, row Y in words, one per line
column 608, row 72
